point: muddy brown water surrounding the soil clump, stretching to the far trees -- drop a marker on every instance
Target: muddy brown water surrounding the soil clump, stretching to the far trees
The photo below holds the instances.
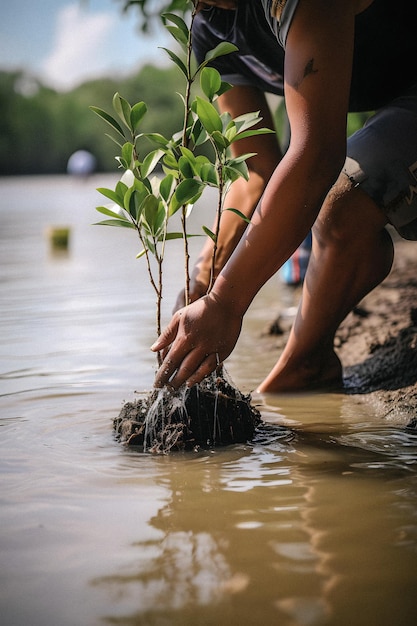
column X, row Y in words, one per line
column 313, row 524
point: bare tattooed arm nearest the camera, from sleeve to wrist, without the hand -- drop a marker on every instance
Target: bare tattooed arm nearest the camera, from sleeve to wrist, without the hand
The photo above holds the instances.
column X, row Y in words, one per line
column 318, row 66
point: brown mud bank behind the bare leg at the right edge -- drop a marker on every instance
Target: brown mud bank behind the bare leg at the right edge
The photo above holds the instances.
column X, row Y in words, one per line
column 377, row 342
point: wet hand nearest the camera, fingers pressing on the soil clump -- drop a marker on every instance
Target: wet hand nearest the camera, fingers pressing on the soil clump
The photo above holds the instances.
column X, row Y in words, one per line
column 196, row 341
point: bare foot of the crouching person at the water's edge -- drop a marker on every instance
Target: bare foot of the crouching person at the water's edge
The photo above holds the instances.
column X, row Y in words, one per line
column 324, row 373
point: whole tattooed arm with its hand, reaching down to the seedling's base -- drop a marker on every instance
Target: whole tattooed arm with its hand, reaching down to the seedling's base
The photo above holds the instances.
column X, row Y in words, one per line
column 317, row 81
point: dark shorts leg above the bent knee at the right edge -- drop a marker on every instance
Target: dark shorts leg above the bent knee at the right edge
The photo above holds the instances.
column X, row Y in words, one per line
column 382, row 160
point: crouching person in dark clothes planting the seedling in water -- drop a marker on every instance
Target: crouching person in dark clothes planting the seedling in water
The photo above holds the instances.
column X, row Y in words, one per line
column 339, row 56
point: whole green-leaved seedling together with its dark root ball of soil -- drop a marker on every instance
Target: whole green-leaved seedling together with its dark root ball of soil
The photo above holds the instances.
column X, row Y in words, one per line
column 146, row 203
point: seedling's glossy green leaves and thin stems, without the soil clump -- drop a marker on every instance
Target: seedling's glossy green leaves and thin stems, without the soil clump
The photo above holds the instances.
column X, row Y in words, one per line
column 146, row 202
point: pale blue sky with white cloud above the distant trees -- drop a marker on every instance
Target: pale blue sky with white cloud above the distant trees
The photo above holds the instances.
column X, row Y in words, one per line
column 65, row 42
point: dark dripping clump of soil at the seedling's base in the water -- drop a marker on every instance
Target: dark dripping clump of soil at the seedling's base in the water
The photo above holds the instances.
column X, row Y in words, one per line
column 213, row 413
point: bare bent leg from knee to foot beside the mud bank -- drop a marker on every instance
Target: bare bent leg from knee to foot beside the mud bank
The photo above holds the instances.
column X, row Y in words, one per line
column 351, row 254
